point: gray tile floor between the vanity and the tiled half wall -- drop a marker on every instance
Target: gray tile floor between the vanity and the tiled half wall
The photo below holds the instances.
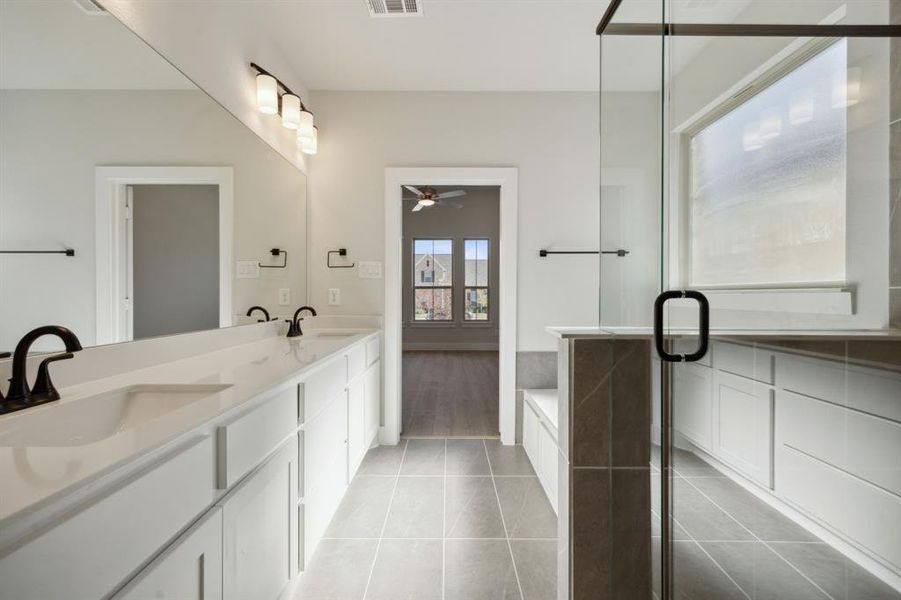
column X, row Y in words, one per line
column 439, row 519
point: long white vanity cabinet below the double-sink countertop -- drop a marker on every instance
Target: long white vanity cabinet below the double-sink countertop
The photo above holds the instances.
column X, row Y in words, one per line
column 232, row 512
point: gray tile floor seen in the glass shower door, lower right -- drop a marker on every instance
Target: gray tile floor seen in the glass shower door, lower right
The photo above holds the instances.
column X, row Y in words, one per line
column 730, row 544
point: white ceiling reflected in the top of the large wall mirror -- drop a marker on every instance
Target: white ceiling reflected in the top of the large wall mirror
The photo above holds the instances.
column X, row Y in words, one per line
column 53, row 44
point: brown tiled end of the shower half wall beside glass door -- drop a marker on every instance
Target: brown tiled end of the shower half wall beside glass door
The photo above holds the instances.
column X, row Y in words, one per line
column 609, row 526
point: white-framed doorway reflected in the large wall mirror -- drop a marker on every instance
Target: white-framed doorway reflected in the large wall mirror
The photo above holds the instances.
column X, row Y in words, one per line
column 142, row 214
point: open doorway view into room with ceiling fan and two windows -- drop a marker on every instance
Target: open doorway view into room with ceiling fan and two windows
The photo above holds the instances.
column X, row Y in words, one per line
column 450, row 320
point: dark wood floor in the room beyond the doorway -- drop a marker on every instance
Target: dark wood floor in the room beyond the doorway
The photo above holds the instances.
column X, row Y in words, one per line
column 450, row 394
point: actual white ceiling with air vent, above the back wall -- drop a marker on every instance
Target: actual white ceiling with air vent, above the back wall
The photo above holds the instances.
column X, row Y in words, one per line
column 456, row 45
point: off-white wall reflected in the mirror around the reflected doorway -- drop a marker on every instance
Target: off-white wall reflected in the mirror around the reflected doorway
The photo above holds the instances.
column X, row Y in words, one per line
column 51, row 143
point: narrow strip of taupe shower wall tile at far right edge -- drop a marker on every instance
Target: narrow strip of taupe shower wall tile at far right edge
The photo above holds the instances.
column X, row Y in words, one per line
column 895, row 156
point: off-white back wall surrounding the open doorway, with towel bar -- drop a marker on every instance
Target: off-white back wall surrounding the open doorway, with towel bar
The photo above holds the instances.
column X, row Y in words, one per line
column 552, row 138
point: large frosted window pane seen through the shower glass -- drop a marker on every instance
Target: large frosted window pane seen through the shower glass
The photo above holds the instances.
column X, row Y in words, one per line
column 767, row 180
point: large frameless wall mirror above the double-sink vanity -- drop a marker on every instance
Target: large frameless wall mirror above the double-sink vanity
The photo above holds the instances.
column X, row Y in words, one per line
column 132, row 205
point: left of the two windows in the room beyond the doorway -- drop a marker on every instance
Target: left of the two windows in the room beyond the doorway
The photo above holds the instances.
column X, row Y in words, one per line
column 433, row 280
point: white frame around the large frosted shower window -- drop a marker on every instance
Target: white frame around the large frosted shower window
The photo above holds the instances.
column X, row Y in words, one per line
column 755, row 86
